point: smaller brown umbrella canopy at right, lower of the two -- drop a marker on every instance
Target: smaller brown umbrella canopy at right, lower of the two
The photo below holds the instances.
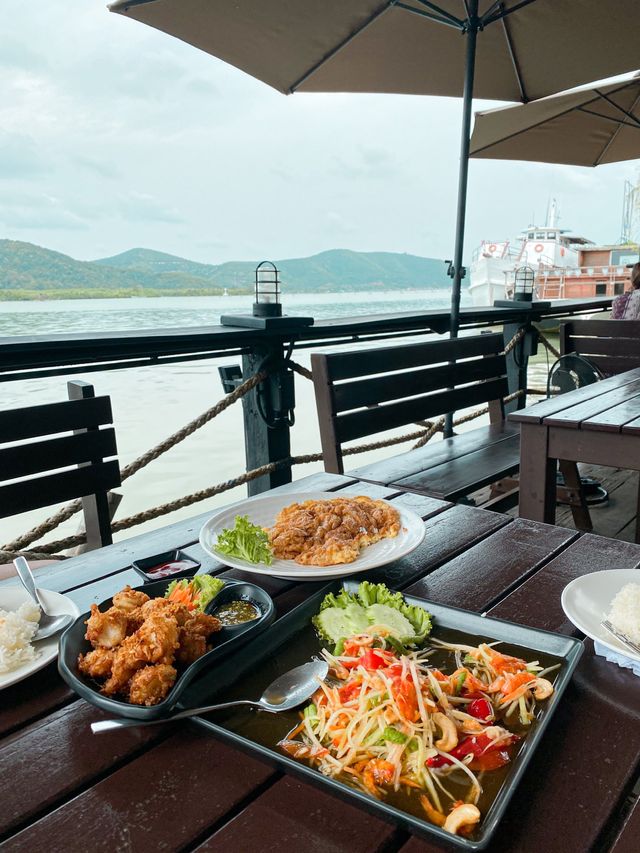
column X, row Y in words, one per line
column 589, row 127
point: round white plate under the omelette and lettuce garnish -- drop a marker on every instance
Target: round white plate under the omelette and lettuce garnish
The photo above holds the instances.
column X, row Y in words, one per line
column 263, row 511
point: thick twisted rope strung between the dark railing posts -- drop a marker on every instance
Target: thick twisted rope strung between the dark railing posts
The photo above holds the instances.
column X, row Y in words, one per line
column 49, row 550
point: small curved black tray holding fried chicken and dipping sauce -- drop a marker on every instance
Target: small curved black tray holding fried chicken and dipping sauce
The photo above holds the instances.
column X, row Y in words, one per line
column 72, row 643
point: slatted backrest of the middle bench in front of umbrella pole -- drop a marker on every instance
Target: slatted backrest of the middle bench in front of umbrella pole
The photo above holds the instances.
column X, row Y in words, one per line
column 368, row 391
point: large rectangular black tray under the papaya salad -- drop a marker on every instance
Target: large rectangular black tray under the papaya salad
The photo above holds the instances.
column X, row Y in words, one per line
column 258, row 662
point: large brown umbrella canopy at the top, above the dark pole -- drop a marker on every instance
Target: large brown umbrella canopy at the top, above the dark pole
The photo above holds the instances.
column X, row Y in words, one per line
column 526, row 48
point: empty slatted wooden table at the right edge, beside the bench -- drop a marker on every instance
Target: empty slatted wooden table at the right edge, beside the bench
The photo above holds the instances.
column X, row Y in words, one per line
column 599, row 423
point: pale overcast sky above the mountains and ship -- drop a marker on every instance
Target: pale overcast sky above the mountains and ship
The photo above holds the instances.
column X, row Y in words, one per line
column 114, row 135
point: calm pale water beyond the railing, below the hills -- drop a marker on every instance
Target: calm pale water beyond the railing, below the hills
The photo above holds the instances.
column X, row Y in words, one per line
column 149, row 403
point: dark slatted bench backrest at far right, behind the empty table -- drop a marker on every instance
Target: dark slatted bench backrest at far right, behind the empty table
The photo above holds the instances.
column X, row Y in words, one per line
column 612, row 345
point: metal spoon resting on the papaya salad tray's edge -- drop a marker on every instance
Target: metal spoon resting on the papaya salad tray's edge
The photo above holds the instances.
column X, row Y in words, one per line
column 286, row 692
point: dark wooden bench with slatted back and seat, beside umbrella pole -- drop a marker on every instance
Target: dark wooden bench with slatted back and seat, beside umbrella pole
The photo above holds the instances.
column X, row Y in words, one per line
column 368, row 391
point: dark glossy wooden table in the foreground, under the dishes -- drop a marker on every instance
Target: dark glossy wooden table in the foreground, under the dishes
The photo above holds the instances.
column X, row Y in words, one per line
column 177, row 787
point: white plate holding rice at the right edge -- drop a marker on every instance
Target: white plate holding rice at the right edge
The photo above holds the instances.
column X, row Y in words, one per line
column 587, row 601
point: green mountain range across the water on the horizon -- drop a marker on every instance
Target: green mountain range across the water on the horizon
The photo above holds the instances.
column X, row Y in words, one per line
column 32, row 272
